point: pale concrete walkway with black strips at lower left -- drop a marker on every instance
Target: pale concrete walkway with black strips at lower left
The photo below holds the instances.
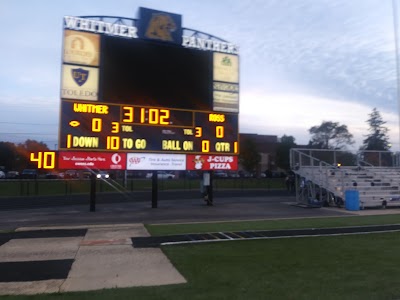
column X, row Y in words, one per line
column 103, row 258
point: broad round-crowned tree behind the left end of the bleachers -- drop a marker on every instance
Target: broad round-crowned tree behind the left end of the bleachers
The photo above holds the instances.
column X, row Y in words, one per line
column 330, row 135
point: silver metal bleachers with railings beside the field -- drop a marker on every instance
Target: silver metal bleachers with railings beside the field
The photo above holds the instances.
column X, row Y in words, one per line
column 324, row 176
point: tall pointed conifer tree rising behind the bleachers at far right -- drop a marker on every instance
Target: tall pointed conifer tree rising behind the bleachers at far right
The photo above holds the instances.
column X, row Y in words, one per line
column 377, row 139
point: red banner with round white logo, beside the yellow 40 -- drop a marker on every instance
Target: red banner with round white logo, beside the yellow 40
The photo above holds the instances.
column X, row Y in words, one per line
column 91, row 160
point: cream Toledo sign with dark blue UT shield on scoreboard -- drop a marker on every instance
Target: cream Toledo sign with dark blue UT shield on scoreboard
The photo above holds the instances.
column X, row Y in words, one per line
column 79, row 82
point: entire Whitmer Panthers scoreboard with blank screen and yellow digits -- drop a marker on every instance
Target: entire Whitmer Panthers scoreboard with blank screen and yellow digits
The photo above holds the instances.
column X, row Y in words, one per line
column 146, row 88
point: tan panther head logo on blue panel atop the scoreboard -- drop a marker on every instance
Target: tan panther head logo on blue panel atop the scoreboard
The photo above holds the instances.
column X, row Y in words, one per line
column 160, row 27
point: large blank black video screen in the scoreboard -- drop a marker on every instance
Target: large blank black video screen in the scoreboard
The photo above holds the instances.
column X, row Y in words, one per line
column 139, row 72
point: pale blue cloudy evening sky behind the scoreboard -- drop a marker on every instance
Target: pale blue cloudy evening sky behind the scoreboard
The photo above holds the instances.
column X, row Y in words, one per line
column 301, row 61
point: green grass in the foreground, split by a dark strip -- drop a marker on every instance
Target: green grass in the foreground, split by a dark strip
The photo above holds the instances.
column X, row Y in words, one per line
column 364, row 266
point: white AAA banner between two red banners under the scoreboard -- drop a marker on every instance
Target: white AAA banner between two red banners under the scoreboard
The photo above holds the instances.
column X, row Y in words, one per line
column 166, row 162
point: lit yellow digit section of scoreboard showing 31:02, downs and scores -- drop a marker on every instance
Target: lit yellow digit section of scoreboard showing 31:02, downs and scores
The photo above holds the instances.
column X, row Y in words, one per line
column 111, row 127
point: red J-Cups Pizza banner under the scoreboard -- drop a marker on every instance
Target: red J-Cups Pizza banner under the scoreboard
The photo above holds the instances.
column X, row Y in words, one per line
column 211, row 162
